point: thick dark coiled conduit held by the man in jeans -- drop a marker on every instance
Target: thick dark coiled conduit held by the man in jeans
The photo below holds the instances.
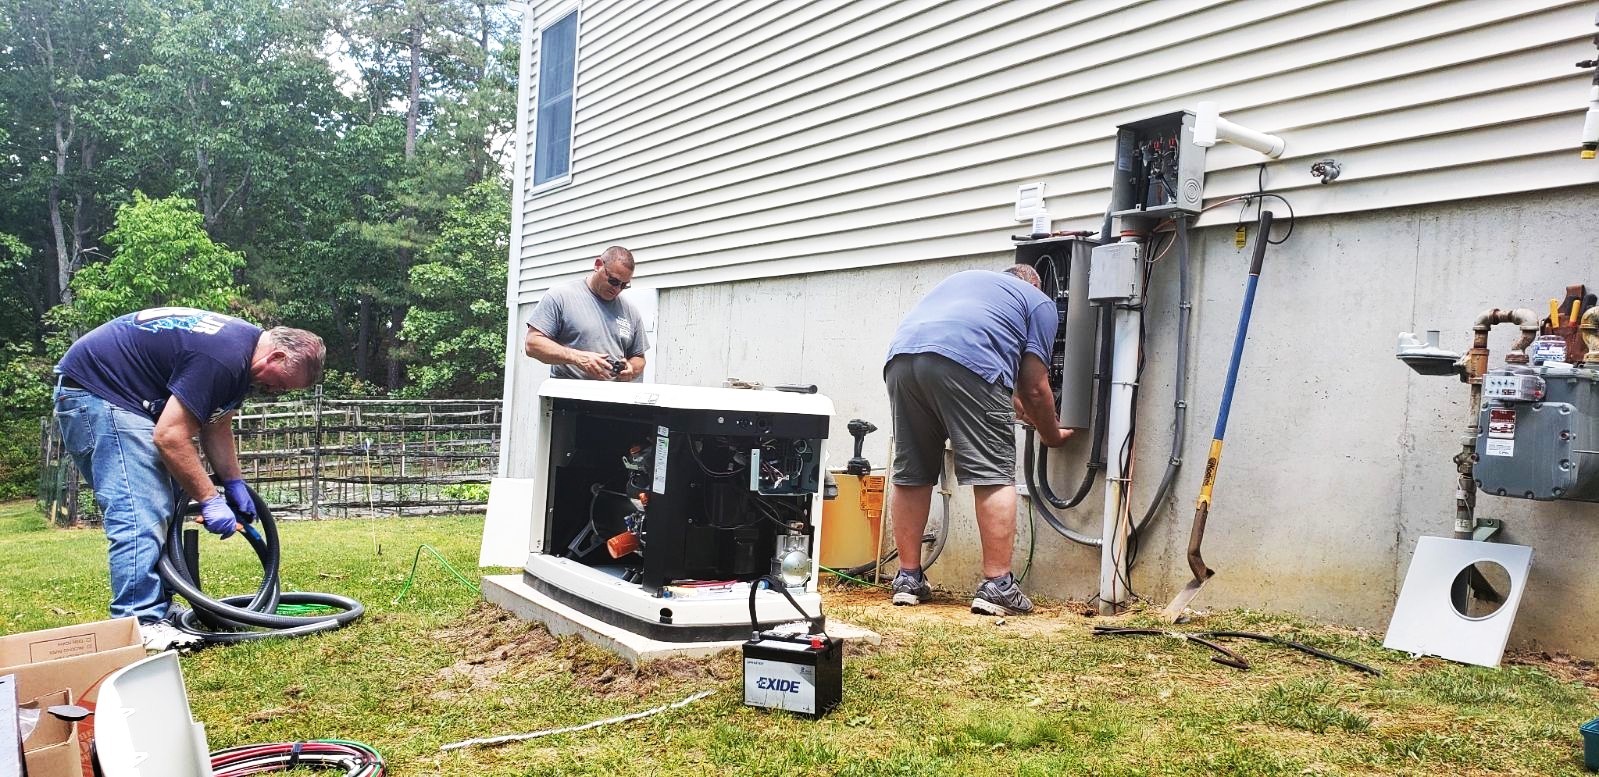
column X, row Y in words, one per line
column 244, row 618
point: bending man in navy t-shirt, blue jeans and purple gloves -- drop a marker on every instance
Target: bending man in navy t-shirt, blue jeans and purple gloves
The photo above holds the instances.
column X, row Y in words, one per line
column 130, row 399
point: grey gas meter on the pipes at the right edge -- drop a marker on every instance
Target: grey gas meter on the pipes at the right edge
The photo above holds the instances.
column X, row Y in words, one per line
column 1533, row 448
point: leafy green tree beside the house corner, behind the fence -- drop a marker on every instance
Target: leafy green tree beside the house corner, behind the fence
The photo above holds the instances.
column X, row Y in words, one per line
column 457, row 327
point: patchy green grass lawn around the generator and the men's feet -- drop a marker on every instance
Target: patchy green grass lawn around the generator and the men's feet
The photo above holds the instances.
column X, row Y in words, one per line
column 946, row 693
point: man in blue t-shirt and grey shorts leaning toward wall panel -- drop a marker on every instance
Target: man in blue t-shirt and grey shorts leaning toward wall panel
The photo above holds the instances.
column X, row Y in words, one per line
column 963, row 365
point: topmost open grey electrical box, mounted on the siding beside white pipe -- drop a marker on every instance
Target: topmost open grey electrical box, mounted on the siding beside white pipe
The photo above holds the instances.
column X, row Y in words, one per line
column 1160, row 170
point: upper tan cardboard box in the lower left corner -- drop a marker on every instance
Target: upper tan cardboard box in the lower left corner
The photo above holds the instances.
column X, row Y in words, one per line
column 70, row 658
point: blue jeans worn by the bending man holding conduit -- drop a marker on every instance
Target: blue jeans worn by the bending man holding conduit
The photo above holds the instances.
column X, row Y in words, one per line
column 116, row 453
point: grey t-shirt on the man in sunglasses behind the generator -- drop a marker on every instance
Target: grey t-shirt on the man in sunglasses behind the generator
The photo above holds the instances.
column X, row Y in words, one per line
column 573, row 316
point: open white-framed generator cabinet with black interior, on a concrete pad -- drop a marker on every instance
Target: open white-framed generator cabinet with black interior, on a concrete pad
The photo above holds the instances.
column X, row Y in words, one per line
column 663, row 504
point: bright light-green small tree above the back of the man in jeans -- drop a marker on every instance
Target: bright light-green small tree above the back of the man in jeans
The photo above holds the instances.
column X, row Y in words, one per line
column 164, row 258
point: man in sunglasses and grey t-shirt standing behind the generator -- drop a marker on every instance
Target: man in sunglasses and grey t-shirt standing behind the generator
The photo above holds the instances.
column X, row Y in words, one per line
column 584, row 330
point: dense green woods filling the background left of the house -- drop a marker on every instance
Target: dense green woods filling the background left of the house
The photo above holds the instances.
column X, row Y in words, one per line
column 325, row 145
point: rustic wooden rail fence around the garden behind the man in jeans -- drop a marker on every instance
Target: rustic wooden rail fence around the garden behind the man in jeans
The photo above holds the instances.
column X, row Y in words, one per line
column 324, row 458
